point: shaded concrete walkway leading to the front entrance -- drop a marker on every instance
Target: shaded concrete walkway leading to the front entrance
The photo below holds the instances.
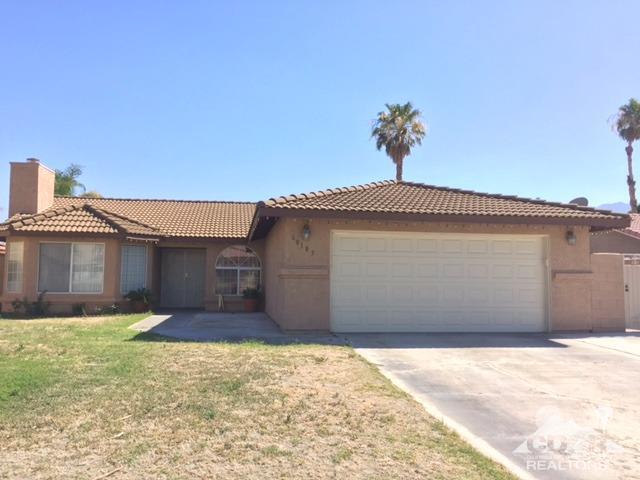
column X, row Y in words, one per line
column 229, row 327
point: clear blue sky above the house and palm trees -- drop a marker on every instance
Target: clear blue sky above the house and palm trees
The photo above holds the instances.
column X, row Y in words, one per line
column 247, row 100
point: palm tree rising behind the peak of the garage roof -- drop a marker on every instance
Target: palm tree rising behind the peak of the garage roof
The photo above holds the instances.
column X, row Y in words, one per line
column 398, row 129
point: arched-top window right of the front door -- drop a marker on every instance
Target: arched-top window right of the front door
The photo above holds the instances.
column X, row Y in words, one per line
column 237, row 268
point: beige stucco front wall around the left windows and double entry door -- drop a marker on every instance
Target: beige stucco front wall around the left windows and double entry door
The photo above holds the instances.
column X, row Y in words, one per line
column 62, row 302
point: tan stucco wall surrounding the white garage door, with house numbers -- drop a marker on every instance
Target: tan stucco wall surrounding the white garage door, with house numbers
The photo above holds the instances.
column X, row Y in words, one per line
column 297, row 278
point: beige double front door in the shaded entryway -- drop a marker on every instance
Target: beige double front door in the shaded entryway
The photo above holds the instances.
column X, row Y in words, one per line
column 183, row 278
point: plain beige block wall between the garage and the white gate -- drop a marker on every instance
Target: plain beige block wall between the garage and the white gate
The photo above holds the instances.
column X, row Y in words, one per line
column 607, row 293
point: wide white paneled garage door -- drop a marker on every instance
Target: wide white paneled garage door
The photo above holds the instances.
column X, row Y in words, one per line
column 425, row 282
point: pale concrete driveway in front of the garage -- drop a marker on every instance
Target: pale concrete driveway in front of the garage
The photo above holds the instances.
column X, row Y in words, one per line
column 551, row 407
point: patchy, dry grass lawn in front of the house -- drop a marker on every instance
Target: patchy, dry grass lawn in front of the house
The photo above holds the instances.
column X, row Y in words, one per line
column 89, row 398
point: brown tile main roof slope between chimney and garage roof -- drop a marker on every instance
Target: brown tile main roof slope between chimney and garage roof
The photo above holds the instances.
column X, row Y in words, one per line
column 175, row 218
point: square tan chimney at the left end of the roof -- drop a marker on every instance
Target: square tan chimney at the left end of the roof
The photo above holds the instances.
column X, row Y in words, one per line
column 31, row 188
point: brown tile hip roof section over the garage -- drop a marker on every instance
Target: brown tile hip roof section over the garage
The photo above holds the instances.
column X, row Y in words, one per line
column 409, row 198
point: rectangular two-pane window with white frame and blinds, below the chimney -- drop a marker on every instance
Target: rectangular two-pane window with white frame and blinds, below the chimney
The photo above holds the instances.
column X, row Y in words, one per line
column 71, row 267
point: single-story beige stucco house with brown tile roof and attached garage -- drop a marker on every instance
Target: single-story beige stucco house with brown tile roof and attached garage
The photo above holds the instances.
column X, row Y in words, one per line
column 383, row 257
